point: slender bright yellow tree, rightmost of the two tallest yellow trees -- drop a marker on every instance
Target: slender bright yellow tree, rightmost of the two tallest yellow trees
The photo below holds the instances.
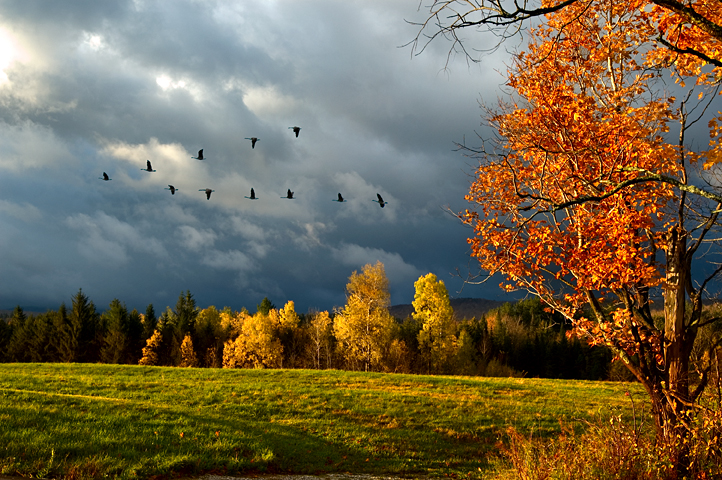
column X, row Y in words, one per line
column 437, row 338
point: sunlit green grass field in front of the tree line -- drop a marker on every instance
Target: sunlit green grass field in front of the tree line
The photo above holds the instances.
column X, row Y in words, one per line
column 83, row 421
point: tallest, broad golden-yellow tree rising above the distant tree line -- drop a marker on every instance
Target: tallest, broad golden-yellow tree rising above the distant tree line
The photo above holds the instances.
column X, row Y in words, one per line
column 363, row 327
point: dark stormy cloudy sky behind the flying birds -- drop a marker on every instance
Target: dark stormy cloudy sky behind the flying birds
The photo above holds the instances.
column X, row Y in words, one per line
column 88, row 87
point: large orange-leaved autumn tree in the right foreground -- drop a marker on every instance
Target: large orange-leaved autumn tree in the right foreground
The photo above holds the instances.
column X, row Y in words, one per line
column 589, row 197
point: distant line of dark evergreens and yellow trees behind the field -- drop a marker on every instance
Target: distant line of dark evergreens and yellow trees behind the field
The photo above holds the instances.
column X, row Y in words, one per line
column 513, row 340
